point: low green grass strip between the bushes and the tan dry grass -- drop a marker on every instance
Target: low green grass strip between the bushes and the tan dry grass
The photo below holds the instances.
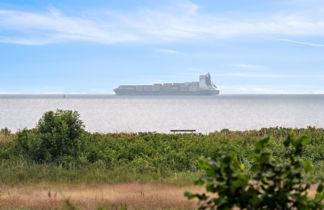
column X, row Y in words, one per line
column 21, row 172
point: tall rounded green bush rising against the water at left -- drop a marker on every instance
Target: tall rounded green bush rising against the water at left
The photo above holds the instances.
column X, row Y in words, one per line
column 57, row 137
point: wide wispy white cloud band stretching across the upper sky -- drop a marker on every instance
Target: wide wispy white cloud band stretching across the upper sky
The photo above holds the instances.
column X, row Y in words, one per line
column 183, row 21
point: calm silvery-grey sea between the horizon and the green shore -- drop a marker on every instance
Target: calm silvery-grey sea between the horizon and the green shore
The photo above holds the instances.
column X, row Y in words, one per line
column 102, row 113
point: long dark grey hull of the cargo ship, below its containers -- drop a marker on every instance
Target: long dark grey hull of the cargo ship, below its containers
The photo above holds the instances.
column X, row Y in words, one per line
column 166, row 93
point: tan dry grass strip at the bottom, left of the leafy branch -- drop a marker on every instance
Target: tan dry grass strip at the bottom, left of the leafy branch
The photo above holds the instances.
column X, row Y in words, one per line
column 132, row 196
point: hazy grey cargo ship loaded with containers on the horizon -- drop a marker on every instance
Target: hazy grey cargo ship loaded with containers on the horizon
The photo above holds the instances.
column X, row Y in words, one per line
column 203, row 87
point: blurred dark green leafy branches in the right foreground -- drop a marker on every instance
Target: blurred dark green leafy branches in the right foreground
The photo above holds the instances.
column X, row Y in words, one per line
column 270, row 185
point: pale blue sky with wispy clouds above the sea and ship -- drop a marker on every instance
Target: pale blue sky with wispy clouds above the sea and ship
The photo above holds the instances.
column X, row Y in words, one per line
column 82, row 46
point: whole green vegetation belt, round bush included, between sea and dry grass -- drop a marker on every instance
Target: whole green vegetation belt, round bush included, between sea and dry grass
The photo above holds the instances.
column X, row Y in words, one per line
column 59, row 149
